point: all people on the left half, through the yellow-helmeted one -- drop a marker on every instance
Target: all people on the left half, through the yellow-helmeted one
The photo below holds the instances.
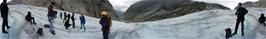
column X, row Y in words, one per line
column 105, row 20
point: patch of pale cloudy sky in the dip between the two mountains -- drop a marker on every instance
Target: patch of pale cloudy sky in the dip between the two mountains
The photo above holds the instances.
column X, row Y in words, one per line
column 122, row 5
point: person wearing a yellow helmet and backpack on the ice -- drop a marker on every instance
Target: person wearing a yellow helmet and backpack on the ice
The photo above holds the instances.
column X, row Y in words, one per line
column 106, row 23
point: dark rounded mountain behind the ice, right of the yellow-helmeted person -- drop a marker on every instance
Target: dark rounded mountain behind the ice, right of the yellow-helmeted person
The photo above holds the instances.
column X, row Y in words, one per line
column 151, row 10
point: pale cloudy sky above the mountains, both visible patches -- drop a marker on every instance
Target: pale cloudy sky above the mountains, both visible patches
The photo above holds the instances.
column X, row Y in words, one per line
column 123, row 5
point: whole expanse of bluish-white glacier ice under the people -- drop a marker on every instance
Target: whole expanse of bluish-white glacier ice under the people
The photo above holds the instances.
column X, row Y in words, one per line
column 208, row 24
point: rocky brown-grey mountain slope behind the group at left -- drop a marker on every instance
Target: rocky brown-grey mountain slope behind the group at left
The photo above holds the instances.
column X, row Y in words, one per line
column 86, row 7
